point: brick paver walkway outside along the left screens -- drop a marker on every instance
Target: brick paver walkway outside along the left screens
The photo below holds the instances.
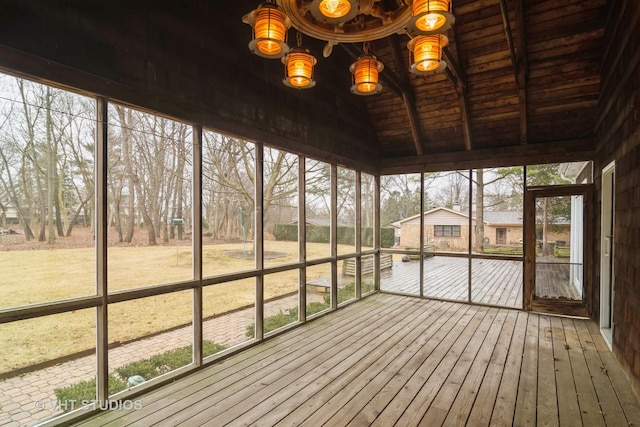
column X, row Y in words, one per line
column 29, row 398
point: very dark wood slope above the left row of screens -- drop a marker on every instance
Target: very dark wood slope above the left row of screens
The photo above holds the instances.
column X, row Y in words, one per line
column 189, row 60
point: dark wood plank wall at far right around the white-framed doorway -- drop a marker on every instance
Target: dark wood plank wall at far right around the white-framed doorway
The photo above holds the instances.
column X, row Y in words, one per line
column 618, row 138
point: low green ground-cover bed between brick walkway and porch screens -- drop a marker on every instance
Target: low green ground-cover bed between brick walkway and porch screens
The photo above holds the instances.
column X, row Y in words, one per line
column 70, row 397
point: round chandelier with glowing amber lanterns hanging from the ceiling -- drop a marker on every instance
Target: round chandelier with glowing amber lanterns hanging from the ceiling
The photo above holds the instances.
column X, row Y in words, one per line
column 350, row 21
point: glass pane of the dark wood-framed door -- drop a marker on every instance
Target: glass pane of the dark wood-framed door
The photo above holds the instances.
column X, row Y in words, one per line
column 559, row 248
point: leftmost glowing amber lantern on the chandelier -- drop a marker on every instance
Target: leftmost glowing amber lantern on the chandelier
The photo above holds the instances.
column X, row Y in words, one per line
column 270, row 25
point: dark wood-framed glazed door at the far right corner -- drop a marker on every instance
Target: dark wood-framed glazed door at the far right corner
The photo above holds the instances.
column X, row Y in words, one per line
column 558, row 236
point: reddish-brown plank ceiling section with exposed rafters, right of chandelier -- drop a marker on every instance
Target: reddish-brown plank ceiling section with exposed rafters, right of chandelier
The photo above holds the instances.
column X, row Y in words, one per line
column 520, row 72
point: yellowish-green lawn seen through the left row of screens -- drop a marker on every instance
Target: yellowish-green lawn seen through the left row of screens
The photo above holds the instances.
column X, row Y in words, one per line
column 36, row 276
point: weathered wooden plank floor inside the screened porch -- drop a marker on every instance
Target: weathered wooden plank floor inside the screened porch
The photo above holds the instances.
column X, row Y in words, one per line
column 397, row 360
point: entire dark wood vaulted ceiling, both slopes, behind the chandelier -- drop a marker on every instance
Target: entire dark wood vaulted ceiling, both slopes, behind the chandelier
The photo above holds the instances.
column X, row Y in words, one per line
column 522, row 82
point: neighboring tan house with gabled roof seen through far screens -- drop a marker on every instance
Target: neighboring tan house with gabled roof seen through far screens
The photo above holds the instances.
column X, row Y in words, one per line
column 448, row 229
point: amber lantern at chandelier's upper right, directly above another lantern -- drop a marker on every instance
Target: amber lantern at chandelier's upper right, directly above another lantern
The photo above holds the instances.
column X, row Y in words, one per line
column 430, row 17
